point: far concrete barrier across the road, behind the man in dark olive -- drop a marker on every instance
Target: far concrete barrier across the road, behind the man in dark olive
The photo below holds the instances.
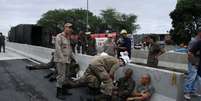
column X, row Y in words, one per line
column 172, row 60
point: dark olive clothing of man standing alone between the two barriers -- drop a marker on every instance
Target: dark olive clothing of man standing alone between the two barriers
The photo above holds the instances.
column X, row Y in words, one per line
column 154, row 50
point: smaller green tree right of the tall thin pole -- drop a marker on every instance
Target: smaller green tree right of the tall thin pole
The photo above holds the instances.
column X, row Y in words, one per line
column 116, row 21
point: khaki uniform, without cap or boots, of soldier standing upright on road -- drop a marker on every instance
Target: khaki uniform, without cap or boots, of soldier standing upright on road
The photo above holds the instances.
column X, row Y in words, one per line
column 62, row 57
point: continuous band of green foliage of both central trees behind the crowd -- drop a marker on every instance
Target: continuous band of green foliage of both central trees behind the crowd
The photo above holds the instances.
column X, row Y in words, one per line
column 110, row 19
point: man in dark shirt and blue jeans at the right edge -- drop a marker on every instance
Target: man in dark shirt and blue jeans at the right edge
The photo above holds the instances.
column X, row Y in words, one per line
column 192, row 77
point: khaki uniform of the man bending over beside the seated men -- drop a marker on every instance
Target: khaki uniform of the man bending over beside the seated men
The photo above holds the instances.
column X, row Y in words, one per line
column 99, row 72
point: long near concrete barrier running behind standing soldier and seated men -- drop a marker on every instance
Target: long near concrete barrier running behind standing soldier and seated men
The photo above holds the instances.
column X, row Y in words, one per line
column 168, row 84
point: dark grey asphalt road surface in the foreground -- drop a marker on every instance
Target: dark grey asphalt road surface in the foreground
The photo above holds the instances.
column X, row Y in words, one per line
column 19, row 84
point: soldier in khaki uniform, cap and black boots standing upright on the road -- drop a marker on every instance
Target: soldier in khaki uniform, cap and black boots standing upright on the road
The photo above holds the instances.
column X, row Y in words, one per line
column 62, row 57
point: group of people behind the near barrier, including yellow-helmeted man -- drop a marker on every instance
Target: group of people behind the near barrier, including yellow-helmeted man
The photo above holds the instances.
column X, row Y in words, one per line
column 86, row 44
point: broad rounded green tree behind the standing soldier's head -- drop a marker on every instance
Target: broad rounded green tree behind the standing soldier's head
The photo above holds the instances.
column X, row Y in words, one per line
column 54, row 20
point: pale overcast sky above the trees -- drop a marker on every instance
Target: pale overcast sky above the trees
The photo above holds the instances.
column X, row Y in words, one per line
column 153, row 15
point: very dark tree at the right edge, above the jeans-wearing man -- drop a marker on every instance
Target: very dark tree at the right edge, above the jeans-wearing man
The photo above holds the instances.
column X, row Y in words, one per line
column 186, row 19
